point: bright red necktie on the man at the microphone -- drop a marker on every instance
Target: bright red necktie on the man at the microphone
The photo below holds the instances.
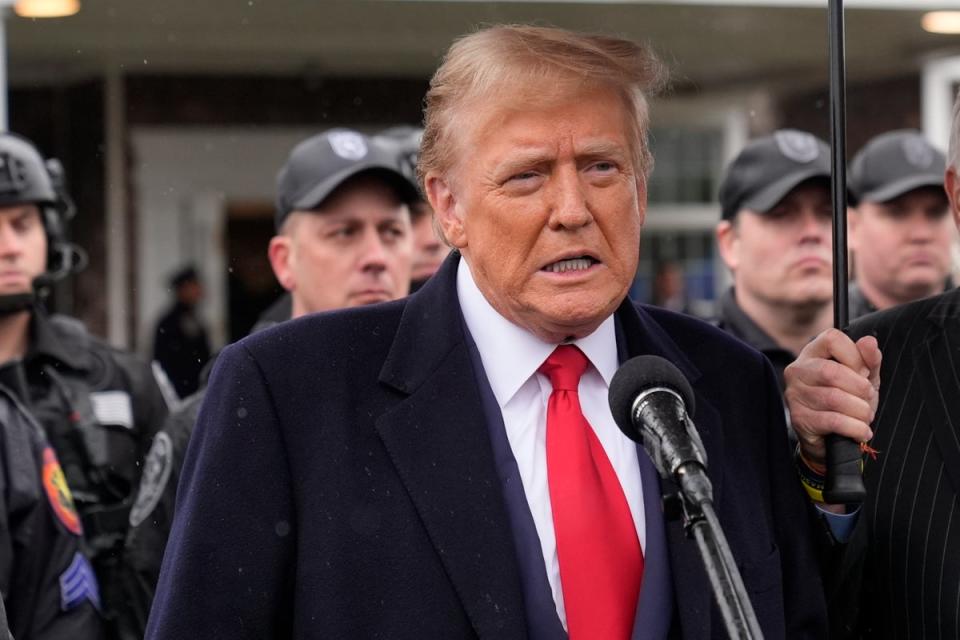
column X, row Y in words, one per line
column 601, row 563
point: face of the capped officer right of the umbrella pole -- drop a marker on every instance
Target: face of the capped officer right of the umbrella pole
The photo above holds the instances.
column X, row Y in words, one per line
column 902, row 246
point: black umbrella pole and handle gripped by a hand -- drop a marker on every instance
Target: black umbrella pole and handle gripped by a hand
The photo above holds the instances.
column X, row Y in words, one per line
column 844, row 483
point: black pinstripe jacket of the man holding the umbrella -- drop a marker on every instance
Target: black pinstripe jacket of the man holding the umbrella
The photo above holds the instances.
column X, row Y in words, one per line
column 901, row 568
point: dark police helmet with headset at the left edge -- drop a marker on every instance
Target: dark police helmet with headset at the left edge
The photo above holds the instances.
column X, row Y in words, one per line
column 26, row 178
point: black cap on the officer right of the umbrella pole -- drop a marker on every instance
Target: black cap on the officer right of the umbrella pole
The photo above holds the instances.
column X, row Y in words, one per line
column 892, row 164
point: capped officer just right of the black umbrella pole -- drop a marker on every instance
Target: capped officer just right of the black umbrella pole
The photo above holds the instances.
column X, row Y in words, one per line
column 900, row 224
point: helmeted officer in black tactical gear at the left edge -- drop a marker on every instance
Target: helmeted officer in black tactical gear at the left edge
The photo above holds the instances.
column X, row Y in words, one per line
column 98, row 406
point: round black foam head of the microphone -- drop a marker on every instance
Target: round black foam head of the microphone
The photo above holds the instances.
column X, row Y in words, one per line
column 636, row 376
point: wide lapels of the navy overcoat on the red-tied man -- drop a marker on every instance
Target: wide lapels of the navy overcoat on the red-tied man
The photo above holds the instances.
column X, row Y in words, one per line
column 437, row 439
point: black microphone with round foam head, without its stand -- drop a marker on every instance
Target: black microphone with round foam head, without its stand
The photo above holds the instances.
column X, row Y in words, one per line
column 651, row 401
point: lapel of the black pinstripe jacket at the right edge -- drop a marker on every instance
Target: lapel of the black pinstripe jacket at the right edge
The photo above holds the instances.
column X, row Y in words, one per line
column 938, row 361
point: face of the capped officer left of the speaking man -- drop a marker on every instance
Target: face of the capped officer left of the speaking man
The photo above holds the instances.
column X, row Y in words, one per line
column 355, row 249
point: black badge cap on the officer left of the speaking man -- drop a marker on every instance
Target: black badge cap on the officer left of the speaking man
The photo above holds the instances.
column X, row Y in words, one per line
column 318, row 165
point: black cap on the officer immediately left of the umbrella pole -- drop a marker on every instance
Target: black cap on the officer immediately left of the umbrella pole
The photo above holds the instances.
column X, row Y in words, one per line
column 769, row 168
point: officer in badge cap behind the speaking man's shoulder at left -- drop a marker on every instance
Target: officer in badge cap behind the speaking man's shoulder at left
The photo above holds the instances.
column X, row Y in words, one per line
column 343, row 239
